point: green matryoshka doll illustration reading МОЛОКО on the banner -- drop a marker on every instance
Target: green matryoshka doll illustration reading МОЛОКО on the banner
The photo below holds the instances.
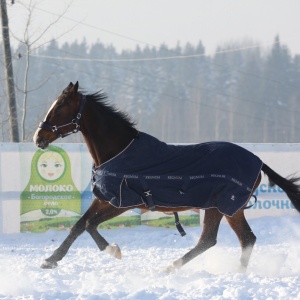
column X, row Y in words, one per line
column 50, row 199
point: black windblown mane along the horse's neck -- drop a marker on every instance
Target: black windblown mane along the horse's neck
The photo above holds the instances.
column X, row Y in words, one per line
column 100, row 103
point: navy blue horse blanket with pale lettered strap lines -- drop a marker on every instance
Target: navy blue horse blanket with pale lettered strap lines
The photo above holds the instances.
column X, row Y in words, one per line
column 151, row 172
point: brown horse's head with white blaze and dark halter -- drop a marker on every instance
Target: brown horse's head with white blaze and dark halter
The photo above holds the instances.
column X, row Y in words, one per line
column 62, row 118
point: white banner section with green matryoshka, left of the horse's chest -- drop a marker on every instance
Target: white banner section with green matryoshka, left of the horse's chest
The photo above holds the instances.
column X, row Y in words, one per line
column 42, row 189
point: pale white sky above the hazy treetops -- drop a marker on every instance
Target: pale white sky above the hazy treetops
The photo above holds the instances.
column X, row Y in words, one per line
column 125, row 22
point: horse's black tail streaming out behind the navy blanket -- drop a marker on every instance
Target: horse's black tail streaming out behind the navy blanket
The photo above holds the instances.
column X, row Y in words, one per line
column 289, row 185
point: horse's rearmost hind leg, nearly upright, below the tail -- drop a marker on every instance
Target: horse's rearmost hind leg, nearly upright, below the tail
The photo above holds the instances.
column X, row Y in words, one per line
column 245, row 235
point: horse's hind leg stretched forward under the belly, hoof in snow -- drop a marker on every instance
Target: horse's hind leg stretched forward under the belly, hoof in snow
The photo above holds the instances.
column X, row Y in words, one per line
column 207, row 239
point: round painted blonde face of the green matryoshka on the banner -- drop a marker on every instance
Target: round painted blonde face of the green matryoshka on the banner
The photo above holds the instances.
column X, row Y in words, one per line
column 51, row 166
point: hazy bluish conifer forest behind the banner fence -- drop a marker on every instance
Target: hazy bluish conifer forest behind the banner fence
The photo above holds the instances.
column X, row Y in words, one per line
column 179, row 95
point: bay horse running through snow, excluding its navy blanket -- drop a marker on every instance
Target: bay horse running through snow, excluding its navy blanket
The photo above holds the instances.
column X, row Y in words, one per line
column 108, row 132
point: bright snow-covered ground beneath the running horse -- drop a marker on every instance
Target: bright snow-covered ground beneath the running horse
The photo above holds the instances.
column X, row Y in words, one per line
column 87, row 273
